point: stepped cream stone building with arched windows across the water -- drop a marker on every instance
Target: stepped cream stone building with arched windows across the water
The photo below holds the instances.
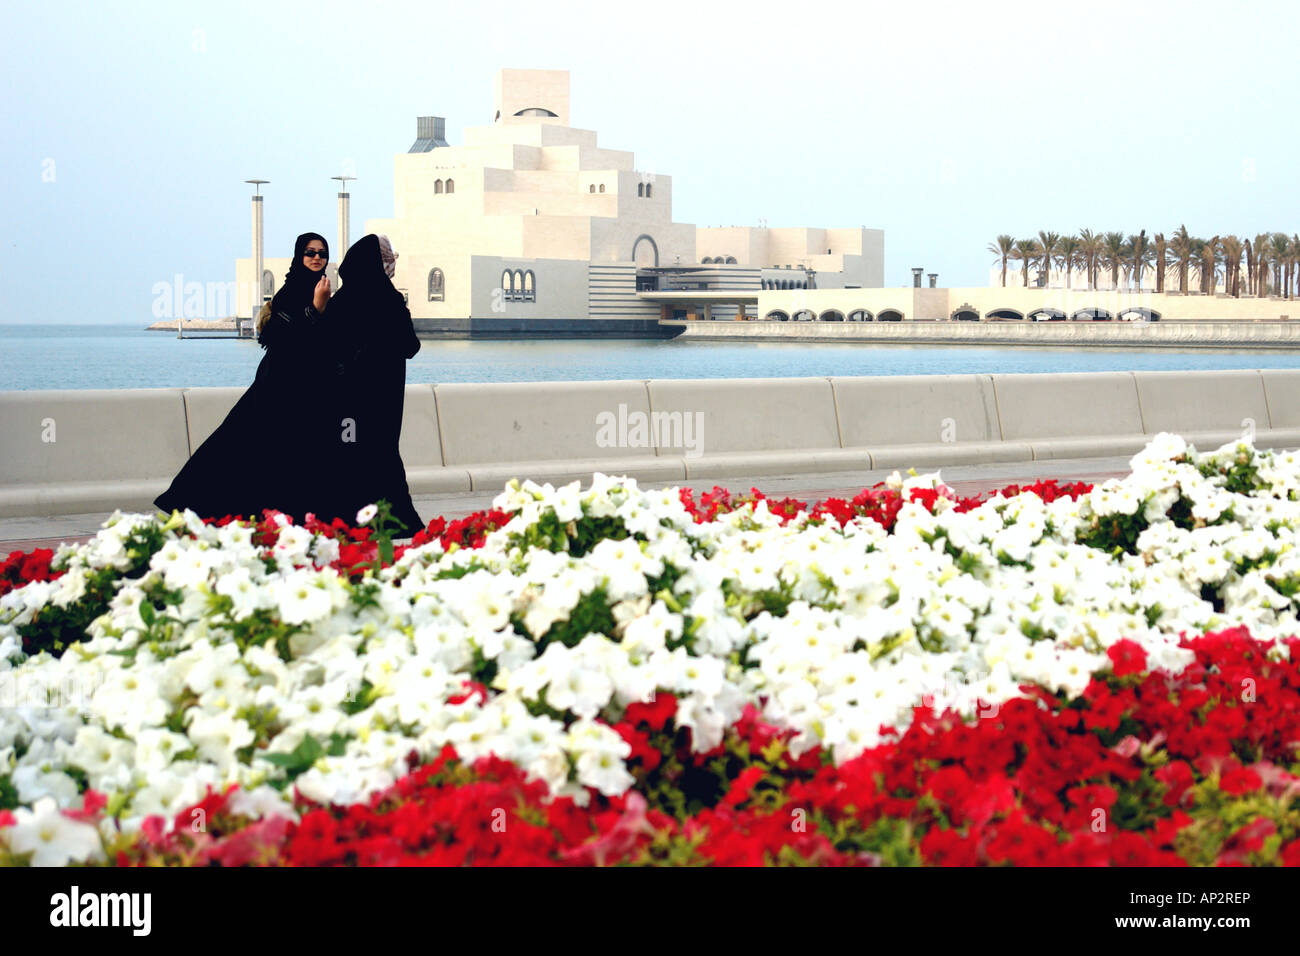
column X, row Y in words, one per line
column 532, row 200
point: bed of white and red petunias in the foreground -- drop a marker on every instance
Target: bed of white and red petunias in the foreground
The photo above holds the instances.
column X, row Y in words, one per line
column 629, row 676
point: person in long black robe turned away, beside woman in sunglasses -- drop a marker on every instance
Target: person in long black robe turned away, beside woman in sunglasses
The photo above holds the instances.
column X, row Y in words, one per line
column 372, row 335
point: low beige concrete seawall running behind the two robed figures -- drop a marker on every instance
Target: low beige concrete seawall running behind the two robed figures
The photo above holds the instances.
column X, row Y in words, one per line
column 79, row 452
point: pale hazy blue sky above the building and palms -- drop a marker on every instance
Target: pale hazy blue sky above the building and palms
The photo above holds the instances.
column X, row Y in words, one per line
column 131, row 128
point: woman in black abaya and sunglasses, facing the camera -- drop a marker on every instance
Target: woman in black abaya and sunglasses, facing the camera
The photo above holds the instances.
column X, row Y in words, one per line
column 270, row 452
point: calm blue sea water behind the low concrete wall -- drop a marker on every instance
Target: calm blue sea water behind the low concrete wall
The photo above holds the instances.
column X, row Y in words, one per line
column 123, row 357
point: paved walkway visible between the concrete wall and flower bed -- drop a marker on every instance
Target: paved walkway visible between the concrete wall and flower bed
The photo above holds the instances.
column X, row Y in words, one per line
column 27, row 534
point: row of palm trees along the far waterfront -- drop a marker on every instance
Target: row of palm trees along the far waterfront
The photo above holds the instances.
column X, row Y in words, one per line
column 1272, row 259
